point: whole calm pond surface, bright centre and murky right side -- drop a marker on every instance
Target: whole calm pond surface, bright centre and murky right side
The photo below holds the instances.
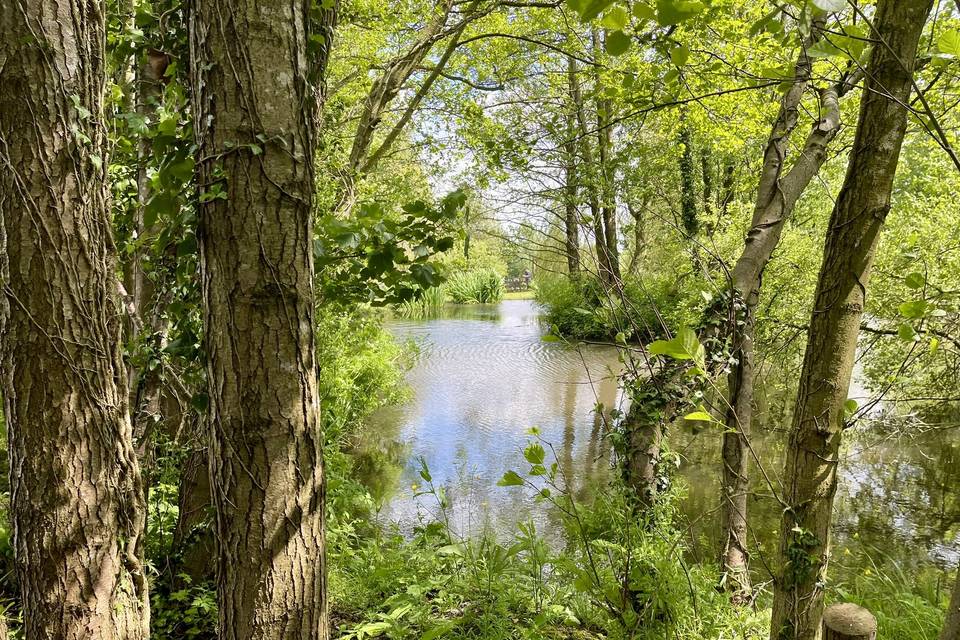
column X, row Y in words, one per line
column 484, row 377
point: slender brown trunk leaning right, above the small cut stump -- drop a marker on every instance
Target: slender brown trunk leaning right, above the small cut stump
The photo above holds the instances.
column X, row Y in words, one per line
column 819, row 417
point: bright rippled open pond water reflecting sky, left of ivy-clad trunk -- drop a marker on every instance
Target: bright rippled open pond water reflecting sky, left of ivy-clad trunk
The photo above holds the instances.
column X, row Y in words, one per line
column 483, row 379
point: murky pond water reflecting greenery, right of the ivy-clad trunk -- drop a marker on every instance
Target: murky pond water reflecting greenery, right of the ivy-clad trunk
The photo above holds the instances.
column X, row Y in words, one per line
column 896, row 501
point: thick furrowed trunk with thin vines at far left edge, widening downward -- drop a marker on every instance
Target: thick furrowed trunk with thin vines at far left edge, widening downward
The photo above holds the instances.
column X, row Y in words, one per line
column 76, row 494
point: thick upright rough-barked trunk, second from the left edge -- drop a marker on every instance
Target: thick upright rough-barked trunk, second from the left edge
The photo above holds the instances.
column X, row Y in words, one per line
column 254, row 112
